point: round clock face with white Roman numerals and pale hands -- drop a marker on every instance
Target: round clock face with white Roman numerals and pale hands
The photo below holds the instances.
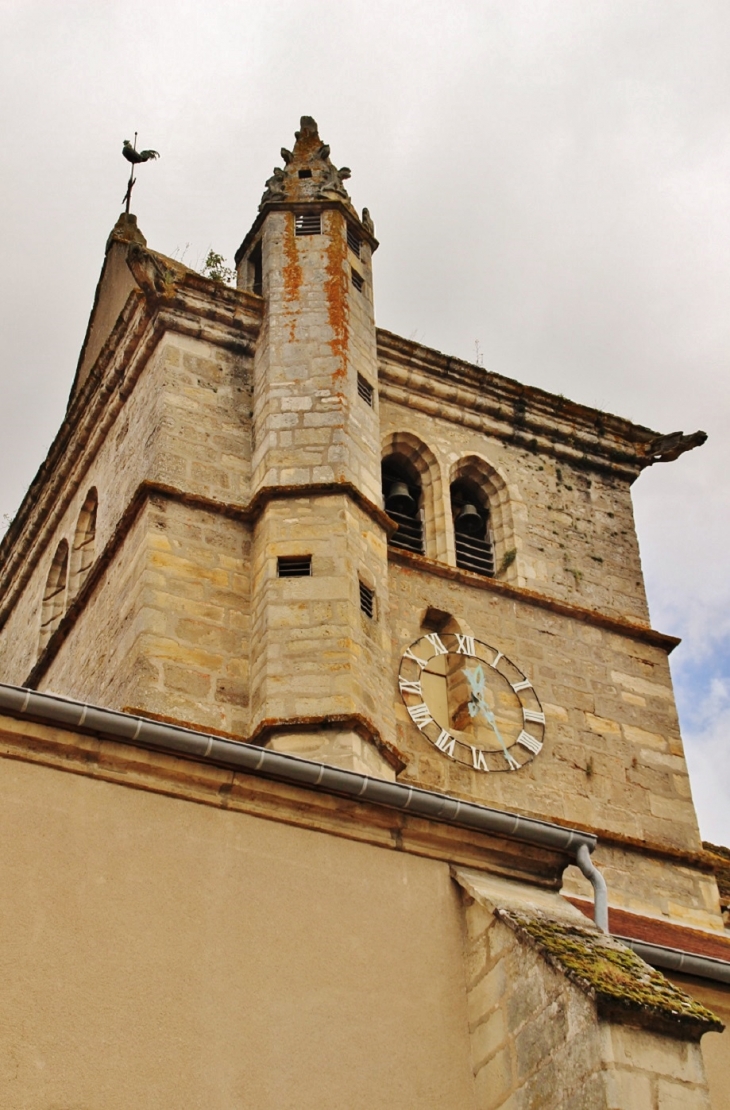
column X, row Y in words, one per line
column 472, row 702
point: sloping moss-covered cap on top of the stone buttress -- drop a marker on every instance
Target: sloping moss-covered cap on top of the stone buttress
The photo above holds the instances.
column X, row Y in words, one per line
column 624, row 987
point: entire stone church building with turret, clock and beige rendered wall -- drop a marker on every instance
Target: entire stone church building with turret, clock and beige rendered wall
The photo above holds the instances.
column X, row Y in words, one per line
column 370, row 638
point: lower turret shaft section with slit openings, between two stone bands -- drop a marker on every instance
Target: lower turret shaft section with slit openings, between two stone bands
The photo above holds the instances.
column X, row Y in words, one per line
column 313, row 651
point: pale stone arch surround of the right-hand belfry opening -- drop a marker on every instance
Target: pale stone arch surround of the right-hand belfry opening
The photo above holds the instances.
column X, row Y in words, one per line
column 504, row 503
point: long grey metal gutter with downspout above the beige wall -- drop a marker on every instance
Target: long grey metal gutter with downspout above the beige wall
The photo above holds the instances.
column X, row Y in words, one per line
column 247, row 759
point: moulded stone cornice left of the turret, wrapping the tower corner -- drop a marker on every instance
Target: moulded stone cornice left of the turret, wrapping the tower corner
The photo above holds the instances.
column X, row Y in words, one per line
column 168, row 300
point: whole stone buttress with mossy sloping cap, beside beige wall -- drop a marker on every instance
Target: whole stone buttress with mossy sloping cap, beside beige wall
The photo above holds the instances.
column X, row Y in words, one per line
column 564, row 1017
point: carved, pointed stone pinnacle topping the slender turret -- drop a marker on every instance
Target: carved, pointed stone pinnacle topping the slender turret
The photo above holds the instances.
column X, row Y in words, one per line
column 308, row 174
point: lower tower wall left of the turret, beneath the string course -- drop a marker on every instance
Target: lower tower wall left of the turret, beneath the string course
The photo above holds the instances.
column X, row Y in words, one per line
column 167, row 630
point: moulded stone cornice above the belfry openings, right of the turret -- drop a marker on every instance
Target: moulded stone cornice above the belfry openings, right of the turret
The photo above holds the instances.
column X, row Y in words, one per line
column 533, row 419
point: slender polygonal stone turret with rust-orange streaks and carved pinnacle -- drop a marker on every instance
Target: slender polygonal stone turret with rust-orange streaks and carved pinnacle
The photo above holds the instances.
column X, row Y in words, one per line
column 320, row 558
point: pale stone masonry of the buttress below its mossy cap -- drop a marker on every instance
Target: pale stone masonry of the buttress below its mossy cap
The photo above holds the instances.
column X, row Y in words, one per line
column 538, row 1040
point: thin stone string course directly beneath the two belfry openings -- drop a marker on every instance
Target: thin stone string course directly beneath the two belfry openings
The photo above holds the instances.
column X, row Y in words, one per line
column 628, row 629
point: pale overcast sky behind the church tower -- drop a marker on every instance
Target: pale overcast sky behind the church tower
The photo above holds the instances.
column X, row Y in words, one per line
column 550, row 179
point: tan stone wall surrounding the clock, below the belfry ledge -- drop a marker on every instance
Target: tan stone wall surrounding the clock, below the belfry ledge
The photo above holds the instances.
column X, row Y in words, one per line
column 613, row 759
